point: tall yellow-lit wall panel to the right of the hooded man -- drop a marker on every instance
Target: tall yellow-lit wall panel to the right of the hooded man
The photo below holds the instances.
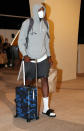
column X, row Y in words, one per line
column 64, row 15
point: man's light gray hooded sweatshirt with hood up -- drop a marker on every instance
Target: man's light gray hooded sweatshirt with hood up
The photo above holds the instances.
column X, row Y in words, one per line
column 38, row 40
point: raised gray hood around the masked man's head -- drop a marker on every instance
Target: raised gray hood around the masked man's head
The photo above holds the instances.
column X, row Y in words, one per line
column 35, row 11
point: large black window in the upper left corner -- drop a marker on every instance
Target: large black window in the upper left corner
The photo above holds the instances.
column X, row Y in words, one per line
column 13, row 13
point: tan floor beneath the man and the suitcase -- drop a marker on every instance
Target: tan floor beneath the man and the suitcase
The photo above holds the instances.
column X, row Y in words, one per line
column 68, row 102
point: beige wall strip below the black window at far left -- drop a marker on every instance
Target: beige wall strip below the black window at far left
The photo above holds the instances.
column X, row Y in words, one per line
column 6, row 33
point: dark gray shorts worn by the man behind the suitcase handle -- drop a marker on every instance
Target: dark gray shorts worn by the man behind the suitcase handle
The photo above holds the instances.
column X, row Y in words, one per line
column 42, row 70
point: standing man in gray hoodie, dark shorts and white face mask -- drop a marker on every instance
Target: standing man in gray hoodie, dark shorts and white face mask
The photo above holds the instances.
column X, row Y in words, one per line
column 37, row 48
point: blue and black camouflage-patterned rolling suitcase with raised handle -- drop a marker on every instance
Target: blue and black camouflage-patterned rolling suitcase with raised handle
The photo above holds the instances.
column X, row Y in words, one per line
column 27, row 99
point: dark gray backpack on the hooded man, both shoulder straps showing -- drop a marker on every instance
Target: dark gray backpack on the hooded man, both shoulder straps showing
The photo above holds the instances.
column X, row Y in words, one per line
column 30, row 27
